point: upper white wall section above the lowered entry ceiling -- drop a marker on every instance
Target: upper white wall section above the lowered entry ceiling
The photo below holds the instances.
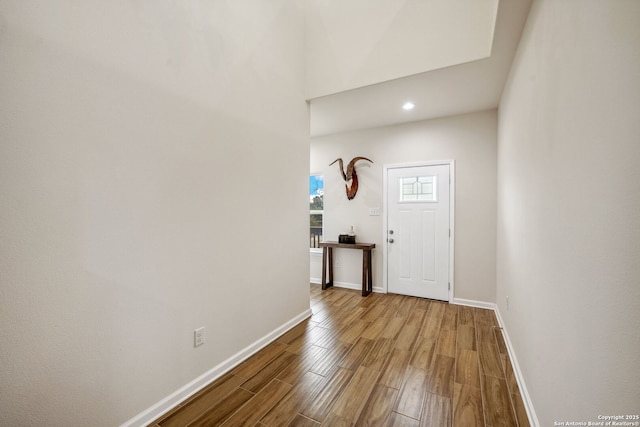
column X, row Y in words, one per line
column 355, row 43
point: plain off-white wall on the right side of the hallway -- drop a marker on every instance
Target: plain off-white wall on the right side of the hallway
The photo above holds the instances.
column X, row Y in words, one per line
column 568, row 208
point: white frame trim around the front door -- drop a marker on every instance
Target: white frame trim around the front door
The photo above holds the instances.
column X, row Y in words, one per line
column 385, row 170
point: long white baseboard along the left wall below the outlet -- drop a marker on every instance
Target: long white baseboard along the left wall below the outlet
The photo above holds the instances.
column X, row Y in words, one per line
column 156, row 411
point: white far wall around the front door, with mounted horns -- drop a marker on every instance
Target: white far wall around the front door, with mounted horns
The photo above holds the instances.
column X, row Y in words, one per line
column 468, row 139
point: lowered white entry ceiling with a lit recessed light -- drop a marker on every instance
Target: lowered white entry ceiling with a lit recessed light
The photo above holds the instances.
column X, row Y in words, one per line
column 458, row 89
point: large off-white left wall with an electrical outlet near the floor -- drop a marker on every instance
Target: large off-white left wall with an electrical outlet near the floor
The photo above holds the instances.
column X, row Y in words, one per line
column 145, row 177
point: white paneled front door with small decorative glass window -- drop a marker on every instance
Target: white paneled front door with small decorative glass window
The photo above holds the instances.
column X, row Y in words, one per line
column 418, row 231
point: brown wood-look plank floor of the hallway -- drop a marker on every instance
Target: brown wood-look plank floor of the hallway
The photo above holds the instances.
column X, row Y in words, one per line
column 382, row 360
